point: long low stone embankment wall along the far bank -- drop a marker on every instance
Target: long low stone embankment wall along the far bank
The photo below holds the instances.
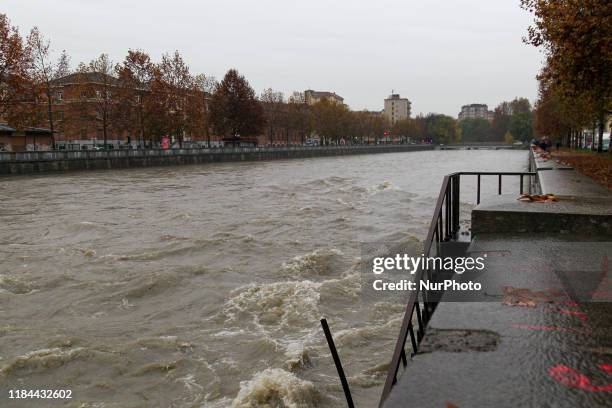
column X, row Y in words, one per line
column 12, row 163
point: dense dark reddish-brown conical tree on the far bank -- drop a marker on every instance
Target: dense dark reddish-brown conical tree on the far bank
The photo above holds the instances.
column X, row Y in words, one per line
column 235, row 110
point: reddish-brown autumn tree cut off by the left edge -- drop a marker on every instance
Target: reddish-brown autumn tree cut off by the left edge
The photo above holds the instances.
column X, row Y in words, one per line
column 15, row 62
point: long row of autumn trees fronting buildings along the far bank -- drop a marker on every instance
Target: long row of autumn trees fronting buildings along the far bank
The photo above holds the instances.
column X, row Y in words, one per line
column 147, row 100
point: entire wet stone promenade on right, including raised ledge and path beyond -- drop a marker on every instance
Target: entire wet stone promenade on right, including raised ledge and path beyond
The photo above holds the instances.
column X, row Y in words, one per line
column 539, row 334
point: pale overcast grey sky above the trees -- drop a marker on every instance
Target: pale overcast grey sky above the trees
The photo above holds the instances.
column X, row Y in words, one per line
column 439, row 54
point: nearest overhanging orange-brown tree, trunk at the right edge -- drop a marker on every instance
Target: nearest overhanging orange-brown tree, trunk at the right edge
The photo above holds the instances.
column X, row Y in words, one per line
column 576, row 40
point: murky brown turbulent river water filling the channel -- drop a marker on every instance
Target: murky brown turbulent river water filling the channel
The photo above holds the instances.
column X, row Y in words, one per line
column 203, row 286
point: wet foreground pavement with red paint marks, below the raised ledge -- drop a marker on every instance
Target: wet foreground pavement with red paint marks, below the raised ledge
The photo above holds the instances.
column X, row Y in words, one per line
column 527, row 341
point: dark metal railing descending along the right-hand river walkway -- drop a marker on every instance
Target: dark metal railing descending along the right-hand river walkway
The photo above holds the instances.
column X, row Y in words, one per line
column 443, row 228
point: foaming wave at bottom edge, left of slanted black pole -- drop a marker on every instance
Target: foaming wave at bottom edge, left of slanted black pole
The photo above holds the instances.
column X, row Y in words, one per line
column 276, row 388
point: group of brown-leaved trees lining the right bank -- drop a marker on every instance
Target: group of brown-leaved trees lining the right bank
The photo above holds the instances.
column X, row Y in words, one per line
column 576, row 79
